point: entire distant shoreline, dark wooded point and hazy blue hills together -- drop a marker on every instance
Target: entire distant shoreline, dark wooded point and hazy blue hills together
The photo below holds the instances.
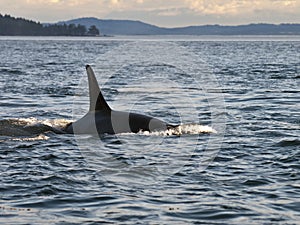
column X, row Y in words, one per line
column 82, row 27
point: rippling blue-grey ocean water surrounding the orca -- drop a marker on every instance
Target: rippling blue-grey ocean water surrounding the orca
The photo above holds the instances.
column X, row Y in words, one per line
column 235, row 159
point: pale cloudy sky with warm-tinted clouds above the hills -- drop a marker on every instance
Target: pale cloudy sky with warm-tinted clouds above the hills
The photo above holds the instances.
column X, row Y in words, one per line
column 168, row 13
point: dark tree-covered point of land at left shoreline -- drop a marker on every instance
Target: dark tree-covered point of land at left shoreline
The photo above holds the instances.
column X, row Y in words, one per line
column 18, row 26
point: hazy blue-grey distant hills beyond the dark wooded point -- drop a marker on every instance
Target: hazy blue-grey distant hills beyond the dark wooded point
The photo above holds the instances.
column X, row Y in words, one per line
column 131, row 27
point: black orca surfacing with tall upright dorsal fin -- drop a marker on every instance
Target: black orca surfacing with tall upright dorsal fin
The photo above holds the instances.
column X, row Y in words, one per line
column 101, row 119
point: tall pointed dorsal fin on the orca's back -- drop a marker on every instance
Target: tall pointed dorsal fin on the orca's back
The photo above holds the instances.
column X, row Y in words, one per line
column 97, row 101
